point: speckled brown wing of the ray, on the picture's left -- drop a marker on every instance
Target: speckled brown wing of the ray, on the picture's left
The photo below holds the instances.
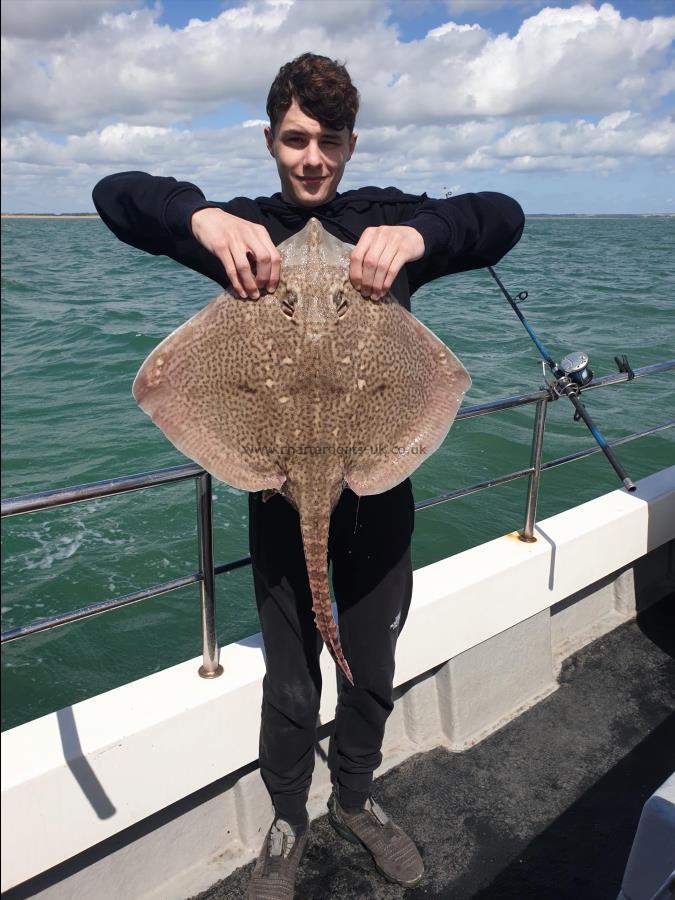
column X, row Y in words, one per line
column 202, row 387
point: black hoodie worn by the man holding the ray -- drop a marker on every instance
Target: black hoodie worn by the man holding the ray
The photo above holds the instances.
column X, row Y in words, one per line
column 460, row 233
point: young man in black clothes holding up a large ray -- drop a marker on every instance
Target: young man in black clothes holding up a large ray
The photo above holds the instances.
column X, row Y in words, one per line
column 402, row 241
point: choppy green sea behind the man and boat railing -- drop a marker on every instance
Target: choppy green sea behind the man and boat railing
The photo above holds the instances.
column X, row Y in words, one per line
column 80, row 313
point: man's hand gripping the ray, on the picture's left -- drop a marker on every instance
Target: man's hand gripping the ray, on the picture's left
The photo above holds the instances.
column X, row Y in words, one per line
column 250, row 259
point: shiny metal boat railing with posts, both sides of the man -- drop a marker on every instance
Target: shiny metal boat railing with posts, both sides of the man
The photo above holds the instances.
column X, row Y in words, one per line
column 207, row 571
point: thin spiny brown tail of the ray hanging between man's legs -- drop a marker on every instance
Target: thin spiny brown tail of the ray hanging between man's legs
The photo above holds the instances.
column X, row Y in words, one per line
column 314, row 529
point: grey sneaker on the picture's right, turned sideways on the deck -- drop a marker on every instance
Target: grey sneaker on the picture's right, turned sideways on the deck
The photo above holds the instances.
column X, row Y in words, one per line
column 395, row 855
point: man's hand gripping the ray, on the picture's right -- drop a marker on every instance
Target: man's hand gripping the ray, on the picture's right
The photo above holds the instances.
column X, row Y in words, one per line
column 379, row 256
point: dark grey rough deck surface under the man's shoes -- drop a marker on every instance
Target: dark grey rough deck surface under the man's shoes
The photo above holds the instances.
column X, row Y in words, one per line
column 545, row 808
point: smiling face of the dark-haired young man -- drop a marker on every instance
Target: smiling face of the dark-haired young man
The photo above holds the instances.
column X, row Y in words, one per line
column 310, row 157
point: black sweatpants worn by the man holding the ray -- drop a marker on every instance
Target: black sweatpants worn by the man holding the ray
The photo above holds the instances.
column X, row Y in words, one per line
column 369, row 552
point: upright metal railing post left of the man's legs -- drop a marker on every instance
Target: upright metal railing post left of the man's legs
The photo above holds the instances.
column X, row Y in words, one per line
column 210, row 667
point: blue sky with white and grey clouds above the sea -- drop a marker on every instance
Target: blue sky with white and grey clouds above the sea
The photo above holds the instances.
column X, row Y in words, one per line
column 567, row 106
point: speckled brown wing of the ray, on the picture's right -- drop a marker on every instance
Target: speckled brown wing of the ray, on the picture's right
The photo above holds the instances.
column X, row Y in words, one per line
column 409, row 389
